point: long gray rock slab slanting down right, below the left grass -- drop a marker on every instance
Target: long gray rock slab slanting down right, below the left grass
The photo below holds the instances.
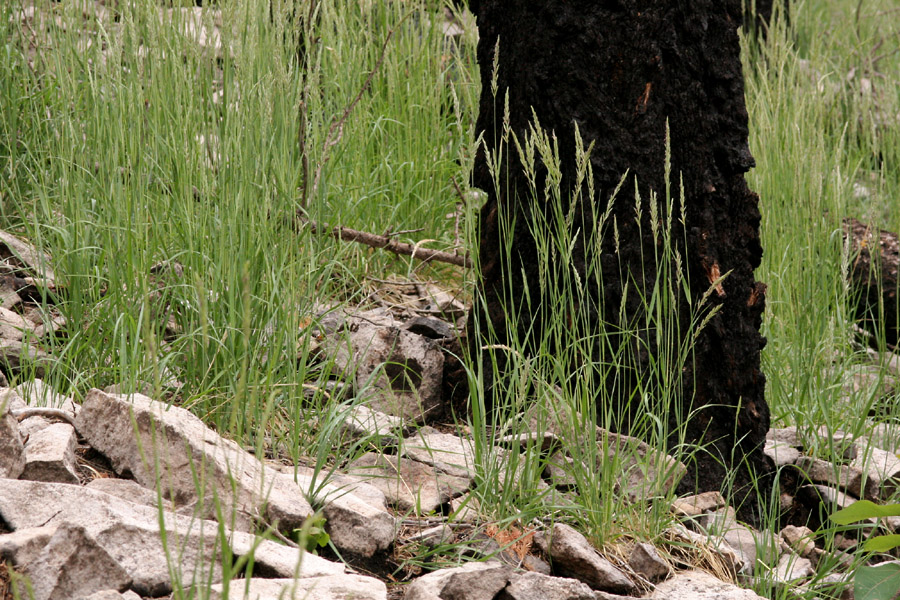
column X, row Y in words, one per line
column 160, row 444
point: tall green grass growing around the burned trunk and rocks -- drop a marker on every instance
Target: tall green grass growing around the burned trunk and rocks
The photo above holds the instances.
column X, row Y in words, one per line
column 124, row 145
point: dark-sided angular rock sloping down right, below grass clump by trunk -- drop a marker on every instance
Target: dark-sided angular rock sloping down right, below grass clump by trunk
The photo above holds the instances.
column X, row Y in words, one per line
column 573, row 556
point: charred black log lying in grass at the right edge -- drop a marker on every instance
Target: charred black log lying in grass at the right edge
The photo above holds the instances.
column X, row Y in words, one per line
column 874, row 285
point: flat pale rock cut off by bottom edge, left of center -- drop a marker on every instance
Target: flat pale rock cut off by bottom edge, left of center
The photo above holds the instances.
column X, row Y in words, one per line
column 327, row 587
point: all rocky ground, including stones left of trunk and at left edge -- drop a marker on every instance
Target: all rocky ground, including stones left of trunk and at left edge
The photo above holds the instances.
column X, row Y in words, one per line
column 123, row 496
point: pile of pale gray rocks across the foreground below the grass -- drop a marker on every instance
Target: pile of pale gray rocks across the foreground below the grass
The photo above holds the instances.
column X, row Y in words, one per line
column 187, row 505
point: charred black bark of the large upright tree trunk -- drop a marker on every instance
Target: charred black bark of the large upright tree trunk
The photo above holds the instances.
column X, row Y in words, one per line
column 621, row 70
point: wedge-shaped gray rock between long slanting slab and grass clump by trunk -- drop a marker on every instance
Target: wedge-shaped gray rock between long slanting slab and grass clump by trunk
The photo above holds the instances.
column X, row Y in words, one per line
column 409, row 485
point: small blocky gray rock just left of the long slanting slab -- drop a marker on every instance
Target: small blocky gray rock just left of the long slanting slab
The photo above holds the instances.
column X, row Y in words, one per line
column 50, row 455
